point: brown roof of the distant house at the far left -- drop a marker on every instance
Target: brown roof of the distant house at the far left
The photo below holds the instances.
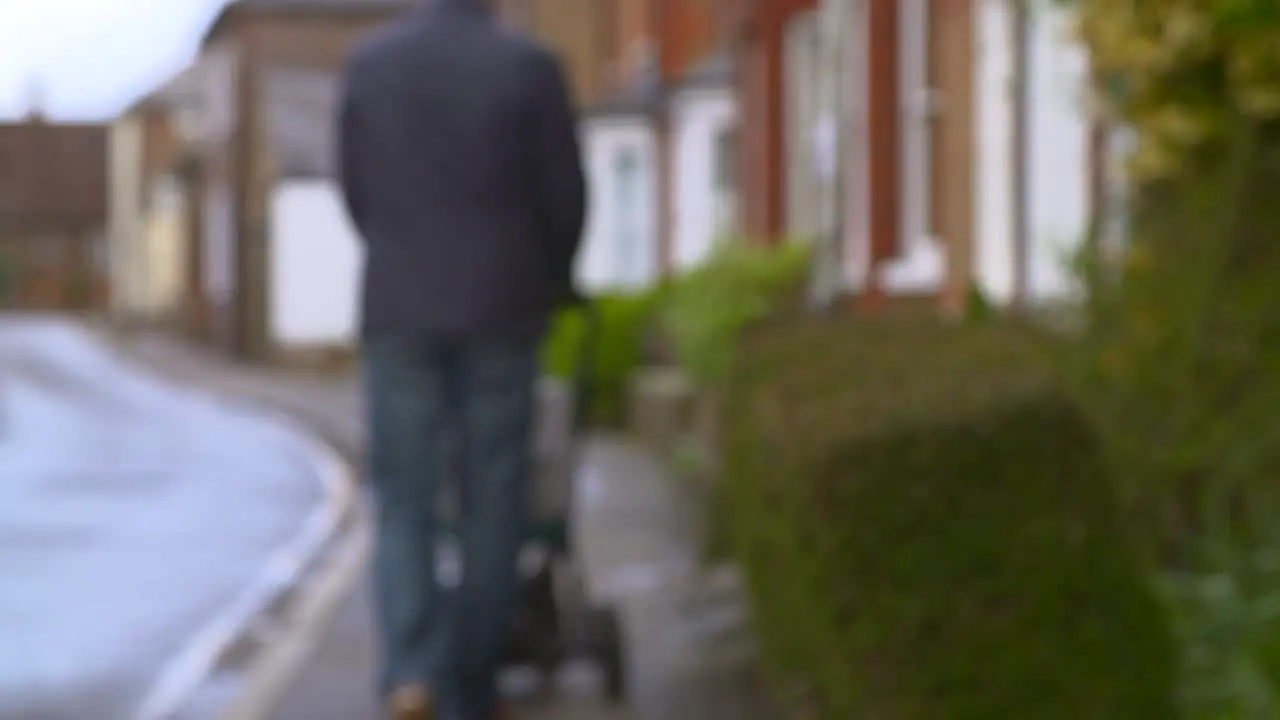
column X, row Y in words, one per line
column 53, row 170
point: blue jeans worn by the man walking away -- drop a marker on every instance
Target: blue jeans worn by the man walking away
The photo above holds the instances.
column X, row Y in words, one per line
column 419, row 394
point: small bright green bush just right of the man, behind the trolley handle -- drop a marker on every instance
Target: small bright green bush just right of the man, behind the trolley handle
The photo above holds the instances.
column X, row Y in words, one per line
column 618, row 349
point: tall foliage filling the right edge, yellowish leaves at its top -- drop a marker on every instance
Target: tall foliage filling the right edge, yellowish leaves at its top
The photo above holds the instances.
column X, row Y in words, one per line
column 1183, row 340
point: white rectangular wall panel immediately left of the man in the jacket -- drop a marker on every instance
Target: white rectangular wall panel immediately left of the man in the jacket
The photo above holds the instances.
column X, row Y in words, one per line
column 314, row 259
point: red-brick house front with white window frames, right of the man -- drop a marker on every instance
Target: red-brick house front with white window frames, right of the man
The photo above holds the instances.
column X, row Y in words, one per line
column 929, row 160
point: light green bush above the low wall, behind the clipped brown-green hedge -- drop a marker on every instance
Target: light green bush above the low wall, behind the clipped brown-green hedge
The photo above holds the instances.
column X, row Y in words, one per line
column 710, row 306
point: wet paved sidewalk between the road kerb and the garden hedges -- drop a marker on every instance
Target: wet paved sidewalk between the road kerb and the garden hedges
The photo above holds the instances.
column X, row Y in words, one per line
column 689, row 659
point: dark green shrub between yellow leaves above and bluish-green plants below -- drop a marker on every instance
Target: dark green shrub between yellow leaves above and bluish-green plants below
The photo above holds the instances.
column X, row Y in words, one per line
column 1185, row 344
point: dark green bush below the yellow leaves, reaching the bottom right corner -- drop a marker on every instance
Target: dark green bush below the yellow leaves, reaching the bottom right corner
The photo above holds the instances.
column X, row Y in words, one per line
column 1181, row 373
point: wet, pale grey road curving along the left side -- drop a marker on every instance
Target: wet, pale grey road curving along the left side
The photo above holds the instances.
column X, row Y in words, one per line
column 131, row 514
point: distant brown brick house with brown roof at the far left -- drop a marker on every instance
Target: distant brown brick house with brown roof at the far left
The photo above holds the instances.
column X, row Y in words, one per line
column 53, row 216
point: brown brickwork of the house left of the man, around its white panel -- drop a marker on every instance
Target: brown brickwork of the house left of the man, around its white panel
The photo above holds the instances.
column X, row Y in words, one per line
column 228, row 302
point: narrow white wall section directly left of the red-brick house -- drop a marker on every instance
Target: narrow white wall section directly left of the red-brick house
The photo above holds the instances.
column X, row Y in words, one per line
column 700, row 120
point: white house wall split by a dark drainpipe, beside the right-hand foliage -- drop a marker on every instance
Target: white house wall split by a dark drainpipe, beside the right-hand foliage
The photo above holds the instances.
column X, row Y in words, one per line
column 1058, row 154
